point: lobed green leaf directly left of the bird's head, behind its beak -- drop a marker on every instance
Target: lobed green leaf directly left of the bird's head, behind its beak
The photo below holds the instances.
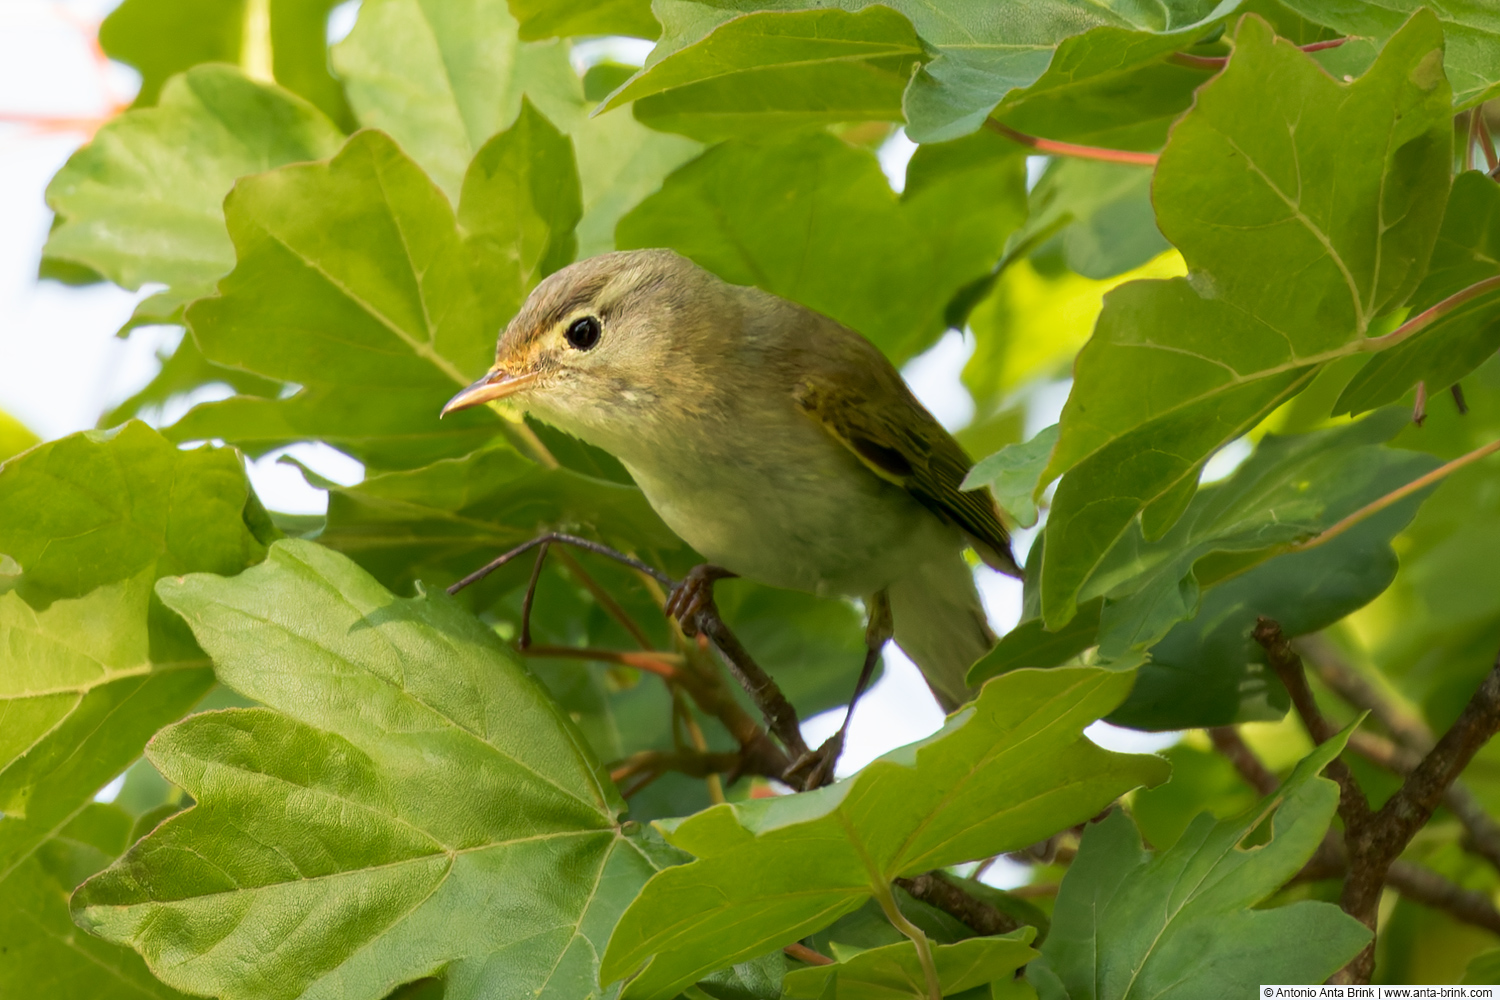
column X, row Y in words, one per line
column 355, row 283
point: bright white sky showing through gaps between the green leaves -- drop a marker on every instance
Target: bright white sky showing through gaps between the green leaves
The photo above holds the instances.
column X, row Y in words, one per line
column 61, row 364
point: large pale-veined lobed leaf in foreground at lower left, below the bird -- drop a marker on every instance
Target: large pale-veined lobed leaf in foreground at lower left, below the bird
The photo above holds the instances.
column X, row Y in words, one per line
column 482, row 840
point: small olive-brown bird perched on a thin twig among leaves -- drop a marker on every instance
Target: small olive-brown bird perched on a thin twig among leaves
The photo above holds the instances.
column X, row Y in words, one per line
column 778, row 443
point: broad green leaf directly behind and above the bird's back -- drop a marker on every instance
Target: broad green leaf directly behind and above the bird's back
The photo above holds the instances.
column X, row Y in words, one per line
column 815, row 221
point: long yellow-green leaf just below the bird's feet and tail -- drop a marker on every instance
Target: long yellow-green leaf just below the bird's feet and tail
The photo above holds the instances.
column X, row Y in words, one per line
column 994, row 779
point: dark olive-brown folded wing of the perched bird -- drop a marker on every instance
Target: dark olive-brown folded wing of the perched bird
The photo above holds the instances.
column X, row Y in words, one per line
column 878, row 419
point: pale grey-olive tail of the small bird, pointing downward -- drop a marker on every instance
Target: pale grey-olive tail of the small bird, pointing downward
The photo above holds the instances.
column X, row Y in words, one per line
column 941, row 626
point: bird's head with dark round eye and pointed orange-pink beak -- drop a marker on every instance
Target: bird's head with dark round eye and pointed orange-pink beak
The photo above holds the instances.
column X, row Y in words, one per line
column 604, row 340
